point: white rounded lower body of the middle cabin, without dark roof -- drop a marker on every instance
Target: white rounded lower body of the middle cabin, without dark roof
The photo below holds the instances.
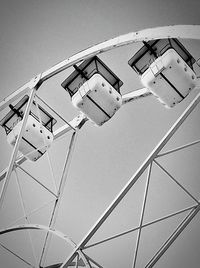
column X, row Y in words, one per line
column 97, row 99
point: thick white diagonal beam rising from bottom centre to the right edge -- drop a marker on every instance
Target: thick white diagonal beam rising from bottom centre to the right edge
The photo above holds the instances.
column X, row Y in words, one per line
column 133, row 179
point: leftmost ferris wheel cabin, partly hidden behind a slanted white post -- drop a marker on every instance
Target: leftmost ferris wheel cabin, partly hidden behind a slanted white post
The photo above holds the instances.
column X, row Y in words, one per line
column 36, row 139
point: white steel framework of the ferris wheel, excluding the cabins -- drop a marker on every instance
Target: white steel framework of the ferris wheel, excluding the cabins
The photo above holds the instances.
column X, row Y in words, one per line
column 78, row 257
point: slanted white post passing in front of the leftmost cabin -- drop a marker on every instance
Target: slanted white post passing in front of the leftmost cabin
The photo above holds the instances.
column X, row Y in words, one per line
column 16, row 147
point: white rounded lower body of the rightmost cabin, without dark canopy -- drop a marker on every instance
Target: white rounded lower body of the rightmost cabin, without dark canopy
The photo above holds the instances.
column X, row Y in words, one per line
column 169, row 78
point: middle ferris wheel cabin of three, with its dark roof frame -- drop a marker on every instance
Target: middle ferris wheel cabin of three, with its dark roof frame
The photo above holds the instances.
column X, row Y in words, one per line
column 94, row 90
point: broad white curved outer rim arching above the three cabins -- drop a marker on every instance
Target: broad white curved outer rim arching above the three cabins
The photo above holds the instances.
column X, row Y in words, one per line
column 176, row 31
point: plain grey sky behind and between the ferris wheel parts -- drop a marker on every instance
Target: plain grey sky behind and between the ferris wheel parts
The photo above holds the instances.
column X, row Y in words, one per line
column 35, row 35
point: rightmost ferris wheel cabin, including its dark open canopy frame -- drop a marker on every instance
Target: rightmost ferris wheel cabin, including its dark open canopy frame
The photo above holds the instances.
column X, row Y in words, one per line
column 165, row 67
